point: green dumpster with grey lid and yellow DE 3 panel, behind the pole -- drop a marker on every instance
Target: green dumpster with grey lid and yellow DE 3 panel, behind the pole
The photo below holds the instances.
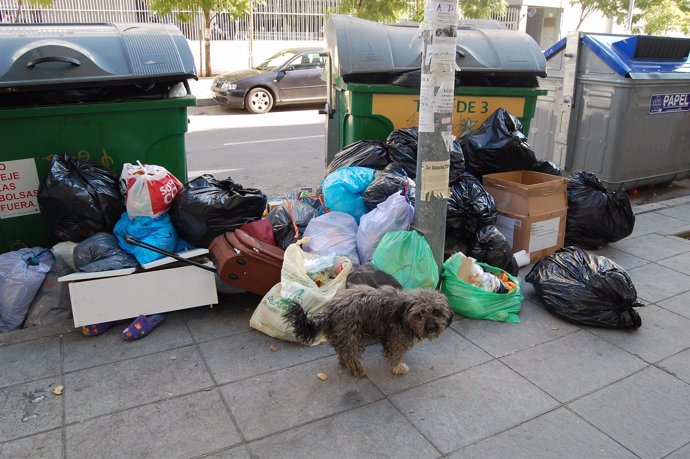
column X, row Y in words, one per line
column 374, row 74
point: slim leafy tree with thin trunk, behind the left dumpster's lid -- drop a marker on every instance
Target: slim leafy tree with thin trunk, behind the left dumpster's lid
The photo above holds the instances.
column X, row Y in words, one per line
column 234, row 8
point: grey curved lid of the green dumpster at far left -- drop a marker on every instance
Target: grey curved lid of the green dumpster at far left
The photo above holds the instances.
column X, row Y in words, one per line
column 62, row 55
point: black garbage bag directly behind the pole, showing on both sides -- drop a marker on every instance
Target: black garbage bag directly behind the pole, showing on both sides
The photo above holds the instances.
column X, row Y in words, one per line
column 402, row 148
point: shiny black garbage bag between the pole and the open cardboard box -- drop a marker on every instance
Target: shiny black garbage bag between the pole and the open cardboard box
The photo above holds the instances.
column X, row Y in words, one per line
column 469, row 208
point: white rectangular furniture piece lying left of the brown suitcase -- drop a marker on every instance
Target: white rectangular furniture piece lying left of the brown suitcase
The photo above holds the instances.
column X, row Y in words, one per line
column 160, row 286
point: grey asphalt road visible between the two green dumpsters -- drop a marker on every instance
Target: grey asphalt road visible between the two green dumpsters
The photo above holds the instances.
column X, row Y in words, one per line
column 277, row 152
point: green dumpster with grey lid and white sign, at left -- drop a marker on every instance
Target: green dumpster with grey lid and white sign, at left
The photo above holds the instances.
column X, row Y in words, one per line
column 111, row 109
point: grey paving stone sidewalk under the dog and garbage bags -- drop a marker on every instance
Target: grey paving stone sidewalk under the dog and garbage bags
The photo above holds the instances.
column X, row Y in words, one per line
column 205, row 384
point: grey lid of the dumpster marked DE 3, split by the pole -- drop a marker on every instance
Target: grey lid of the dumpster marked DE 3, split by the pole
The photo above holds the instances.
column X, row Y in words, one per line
column 358, row 46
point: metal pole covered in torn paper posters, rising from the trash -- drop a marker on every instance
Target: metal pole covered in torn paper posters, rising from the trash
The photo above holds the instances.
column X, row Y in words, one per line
column 436, row 100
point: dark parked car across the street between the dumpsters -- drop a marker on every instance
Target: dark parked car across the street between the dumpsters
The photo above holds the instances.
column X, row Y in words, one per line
column 292, row 76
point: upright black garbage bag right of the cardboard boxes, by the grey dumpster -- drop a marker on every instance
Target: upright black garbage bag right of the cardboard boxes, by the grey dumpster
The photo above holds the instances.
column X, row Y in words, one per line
column 596, row 216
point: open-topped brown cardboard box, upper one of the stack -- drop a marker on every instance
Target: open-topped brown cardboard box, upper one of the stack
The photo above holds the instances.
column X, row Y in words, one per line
column 527, row 193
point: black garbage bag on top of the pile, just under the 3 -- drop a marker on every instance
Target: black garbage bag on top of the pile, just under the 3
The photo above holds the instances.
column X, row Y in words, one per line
column 499, row 145
